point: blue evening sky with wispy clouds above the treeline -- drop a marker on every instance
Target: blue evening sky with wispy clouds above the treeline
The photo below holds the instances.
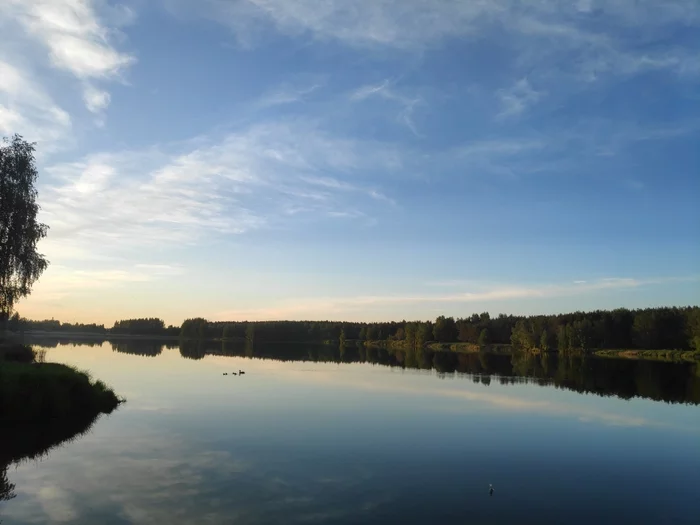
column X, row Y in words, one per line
column 365, row 160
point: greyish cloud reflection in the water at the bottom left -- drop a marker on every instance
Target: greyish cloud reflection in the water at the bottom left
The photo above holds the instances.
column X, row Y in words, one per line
column 160, row 479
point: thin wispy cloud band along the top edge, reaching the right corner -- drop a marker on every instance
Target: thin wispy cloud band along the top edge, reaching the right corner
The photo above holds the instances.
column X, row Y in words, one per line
column 584, row 30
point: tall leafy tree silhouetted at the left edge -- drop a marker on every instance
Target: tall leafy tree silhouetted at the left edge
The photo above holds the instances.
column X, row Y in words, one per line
column 20, row 263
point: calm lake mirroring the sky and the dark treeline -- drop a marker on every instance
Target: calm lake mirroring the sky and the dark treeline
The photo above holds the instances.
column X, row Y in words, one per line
column 313, row 435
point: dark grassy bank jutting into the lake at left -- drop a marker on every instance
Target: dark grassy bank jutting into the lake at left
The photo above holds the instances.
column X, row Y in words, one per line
column 37, row 392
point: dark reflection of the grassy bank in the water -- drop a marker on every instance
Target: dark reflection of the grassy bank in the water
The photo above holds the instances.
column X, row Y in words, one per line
column 22, row 443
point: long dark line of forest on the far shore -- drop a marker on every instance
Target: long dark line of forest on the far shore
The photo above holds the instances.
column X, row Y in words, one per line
column 645, row 329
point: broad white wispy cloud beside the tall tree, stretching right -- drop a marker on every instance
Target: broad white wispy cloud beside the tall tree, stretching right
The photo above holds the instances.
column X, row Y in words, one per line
column 241, row 182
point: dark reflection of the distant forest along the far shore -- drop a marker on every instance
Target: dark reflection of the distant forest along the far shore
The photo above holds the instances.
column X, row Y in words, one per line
column 623, row 378
